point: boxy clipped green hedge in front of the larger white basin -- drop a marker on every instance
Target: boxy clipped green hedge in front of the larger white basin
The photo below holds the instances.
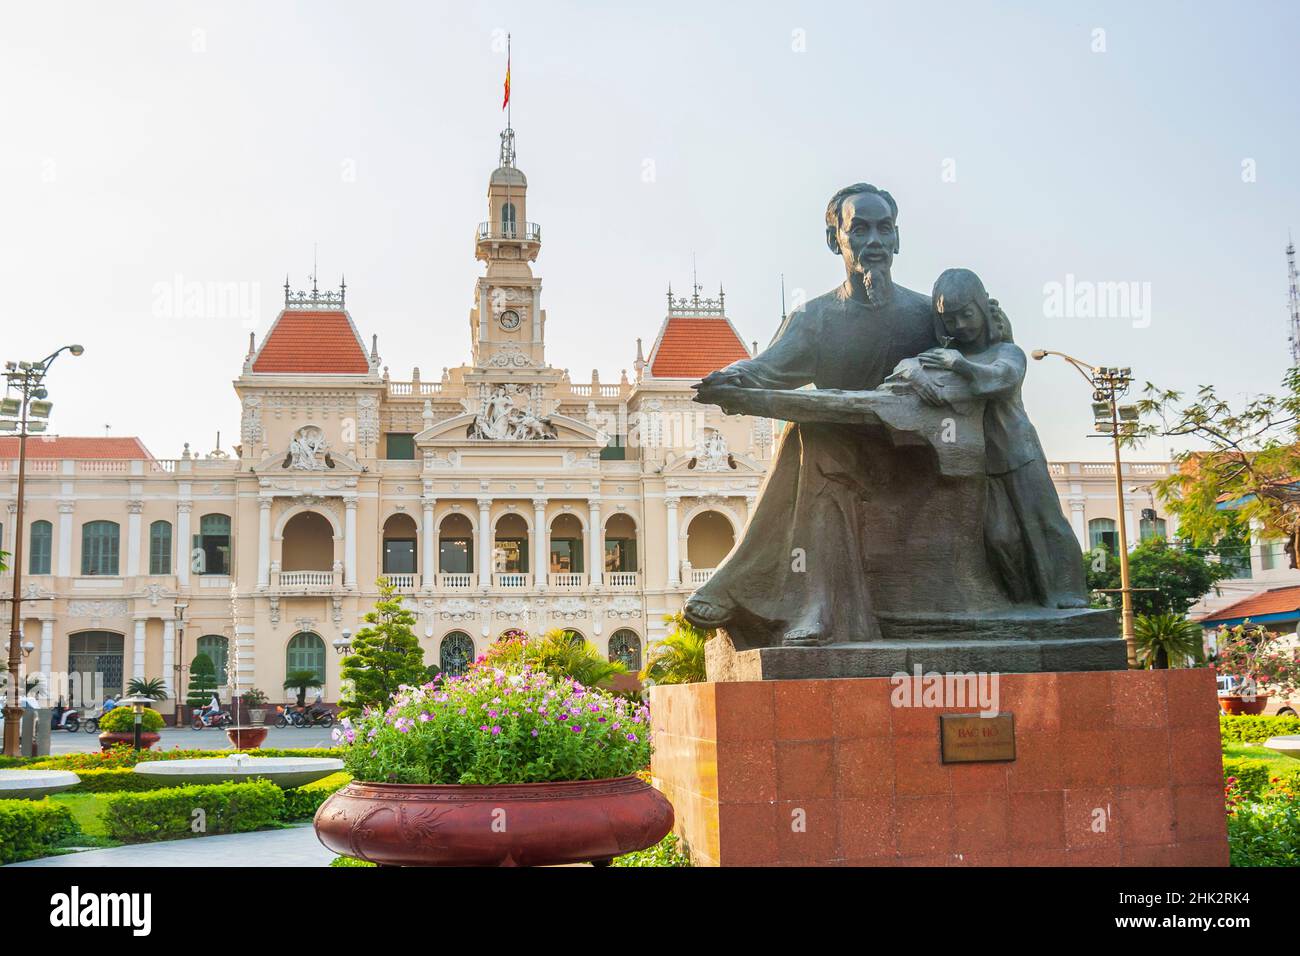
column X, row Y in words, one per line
column 170, row 815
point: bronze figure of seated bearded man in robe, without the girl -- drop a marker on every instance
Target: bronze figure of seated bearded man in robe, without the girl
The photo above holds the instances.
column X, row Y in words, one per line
column 800, row 576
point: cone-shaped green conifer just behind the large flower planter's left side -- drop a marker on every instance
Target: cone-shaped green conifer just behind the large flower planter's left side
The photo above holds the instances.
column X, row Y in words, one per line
column 385, row 655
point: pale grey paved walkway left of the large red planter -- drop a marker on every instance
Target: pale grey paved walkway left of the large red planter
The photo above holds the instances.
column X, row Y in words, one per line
column 294, row 847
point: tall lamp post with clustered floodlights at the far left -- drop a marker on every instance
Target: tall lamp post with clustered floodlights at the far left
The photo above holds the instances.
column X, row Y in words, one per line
column 16, row 416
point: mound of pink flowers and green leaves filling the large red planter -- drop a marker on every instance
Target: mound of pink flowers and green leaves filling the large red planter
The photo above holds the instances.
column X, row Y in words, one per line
column 493, row 726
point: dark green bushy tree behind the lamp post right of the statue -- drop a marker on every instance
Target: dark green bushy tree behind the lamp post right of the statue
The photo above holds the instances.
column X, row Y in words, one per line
column 1180, row 577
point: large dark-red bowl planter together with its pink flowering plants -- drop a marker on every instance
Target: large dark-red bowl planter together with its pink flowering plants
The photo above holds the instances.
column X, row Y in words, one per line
column 496, row 768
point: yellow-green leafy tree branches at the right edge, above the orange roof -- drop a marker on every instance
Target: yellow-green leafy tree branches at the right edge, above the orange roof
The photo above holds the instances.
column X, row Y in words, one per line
column 1250, row 471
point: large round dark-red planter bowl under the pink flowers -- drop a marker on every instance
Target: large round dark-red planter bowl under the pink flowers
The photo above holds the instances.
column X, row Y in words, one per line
column 515, row 825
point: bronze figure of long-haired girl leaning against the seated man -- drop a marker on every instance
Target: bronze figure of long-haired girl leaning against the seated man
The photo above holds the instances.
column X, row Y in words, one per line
column 1030, row 546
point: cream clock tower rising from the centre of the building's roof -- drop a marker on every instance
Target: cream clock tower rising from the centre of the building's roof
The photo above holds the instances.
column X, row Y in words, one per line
column 508, row 321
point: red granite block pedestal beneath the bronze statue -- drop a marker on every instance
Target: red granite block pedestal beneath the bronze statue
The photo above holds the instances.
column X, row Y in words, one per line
column 1112, row 769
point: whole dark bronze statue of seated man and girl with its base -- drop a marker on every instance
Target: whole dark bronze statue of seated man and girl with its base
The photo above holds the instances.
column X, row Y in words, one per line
column 909, row 513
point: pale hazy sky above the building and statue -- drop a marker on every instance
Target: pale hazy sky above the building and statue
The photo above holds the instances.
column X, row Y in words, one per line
column 1123, row 178
